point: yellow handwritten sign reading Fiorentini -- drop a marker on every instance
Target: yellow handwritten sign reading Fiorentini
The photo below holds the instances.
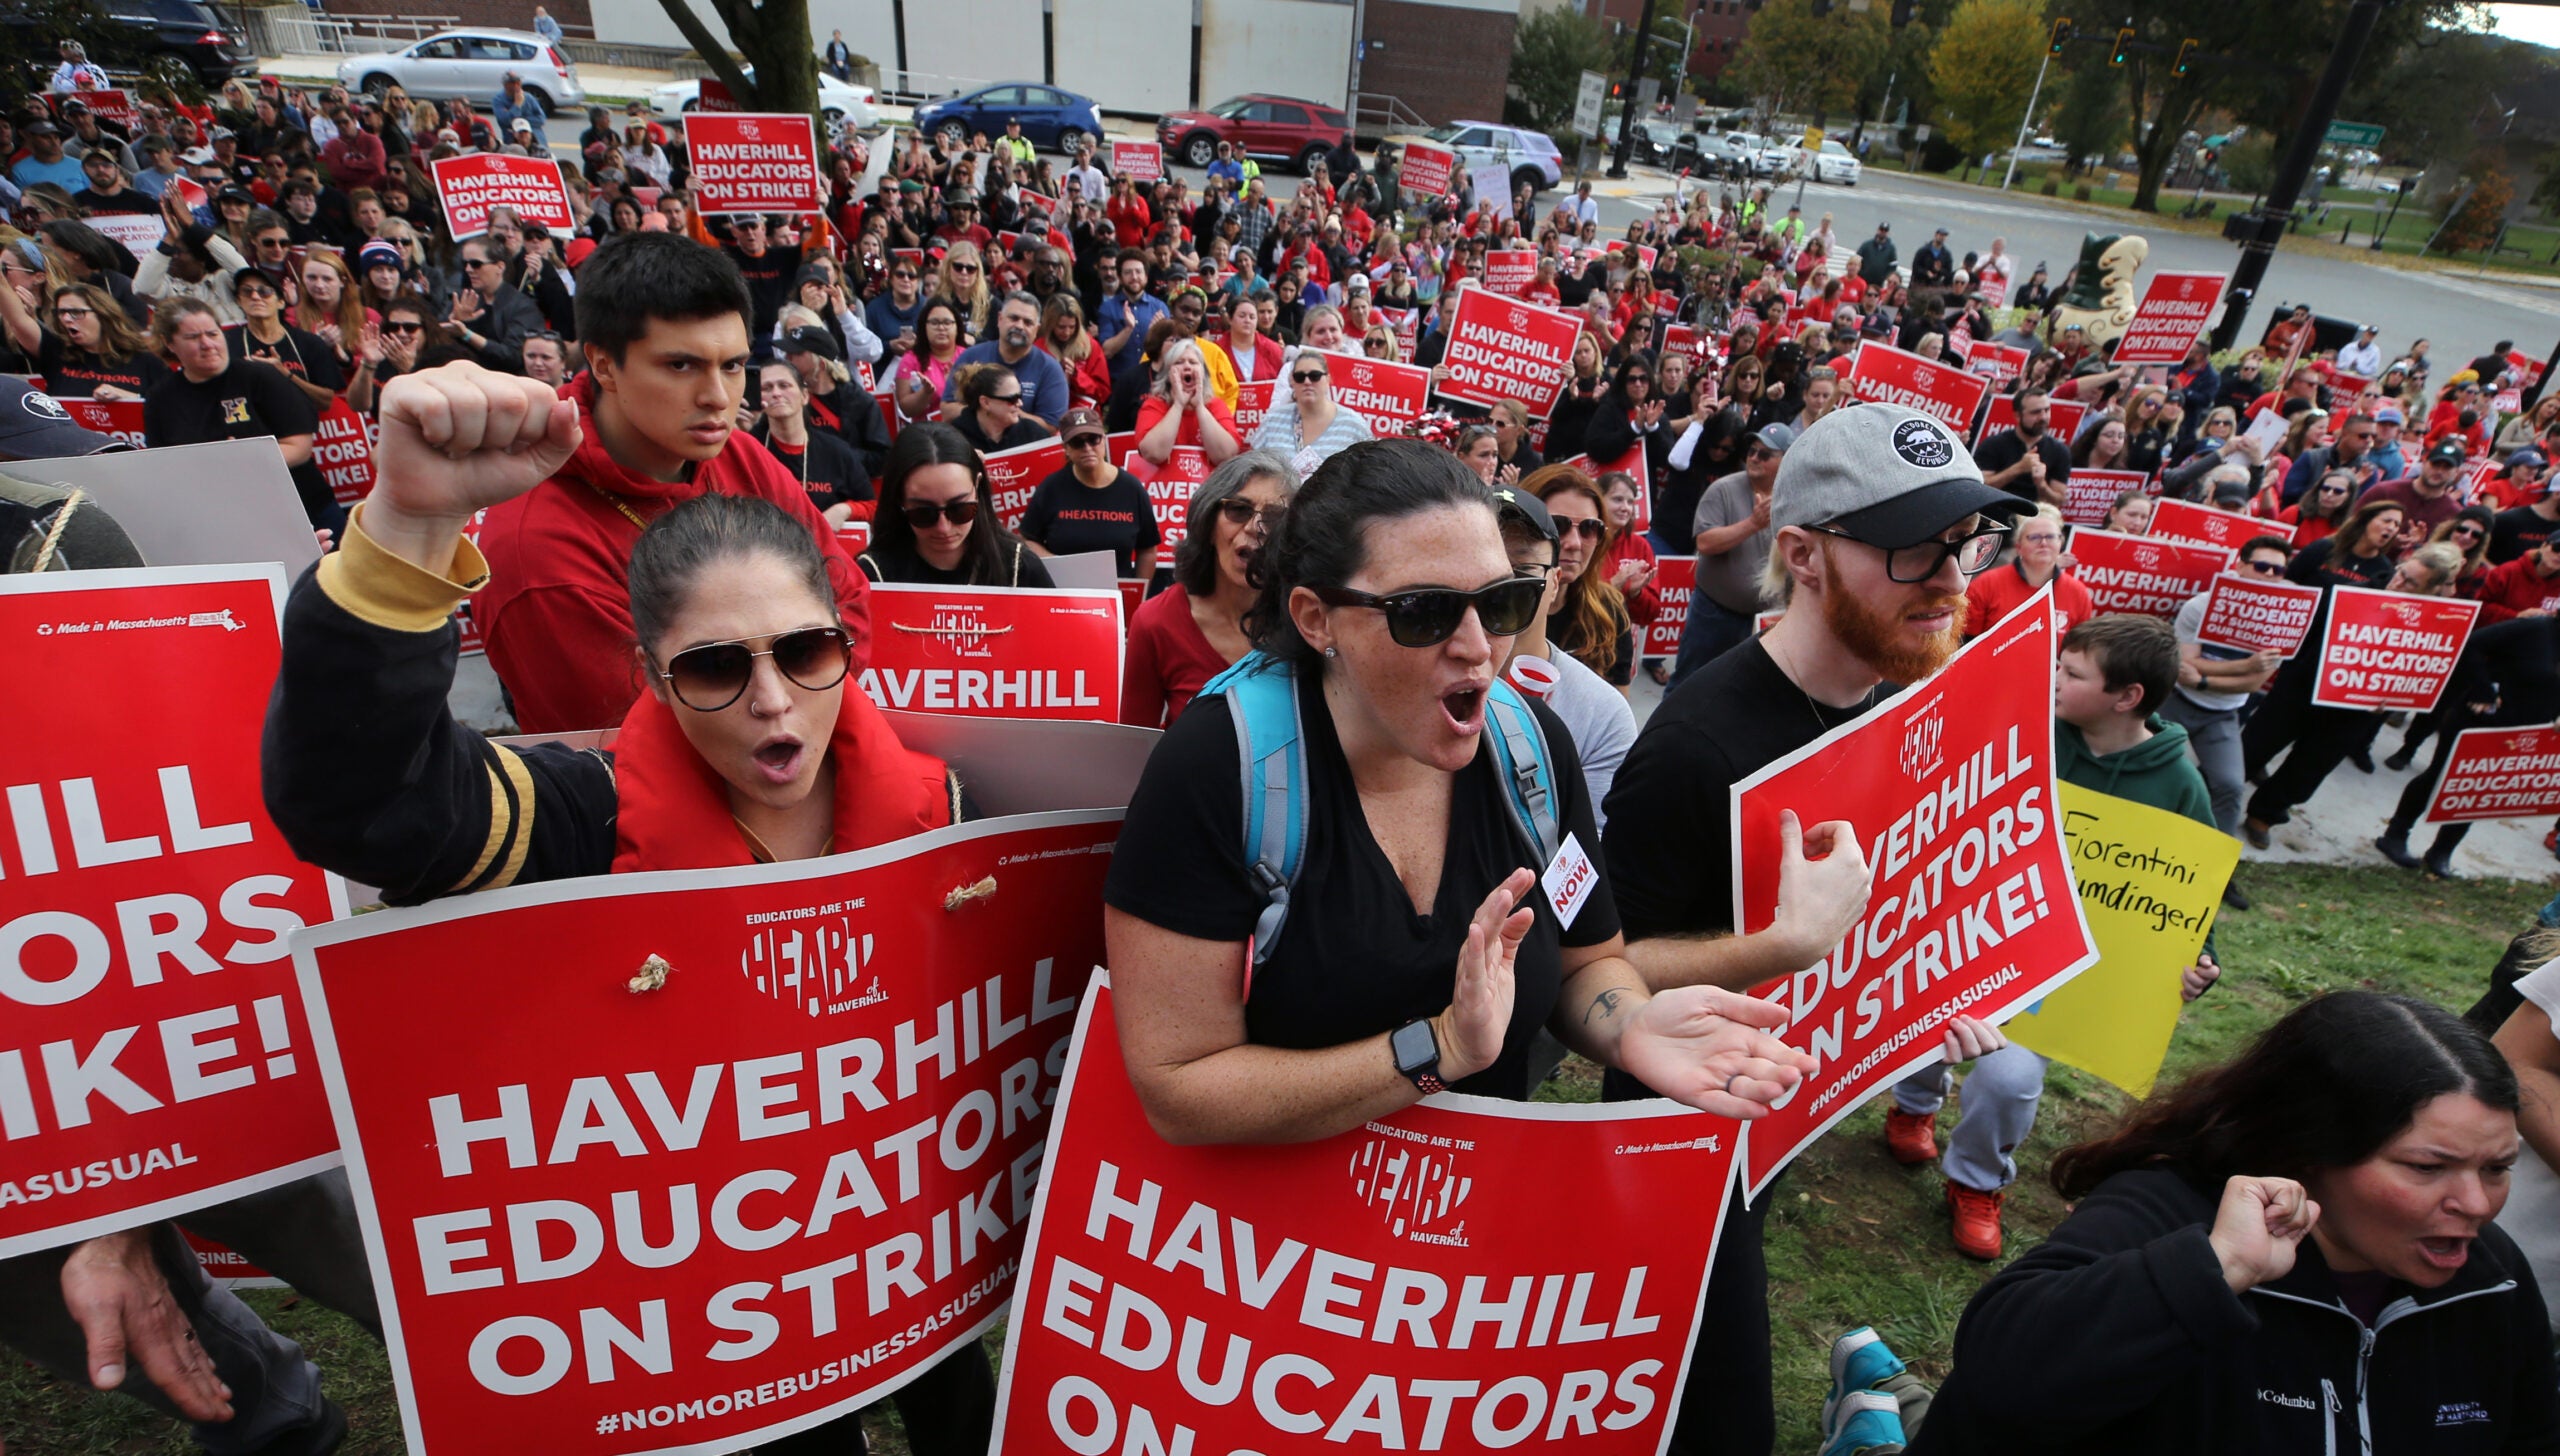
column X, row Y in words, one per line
column 2149, row 884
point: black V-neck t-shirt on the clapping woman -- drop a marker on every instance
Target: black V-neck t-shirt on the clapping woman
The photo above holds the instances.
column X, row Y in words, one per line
column 1353, row 958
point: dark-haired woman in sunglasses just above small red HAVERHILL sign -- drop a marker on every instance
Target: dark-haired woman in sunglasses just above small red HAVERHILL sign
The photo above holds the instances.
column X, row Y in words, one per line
column 936, row 523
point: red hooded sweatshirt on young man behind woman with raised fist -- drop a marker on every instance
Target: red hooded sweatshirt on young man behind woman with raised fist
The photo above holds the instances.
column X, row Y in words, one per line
column 557, row 610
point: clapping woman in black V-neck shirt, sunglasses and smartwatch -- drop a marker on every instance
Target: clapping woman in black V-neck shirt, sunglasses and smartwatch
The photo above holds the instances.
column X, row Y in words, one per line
column 1417, row 953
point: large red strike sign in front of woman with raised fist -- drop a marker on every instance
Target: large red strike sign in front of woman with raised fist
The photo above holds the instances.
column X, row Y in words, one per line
column 700, row 1217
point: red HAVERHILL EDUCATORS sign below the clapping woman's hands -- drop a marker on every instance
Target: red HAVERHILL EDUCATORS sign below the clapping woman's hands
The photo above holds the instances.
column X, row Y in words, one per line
column 1404, row 1286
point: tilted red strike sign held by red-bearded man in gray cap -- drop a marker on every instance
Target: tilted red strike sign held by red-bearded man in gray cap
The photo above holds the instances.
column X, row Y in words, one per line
column 1972, row 910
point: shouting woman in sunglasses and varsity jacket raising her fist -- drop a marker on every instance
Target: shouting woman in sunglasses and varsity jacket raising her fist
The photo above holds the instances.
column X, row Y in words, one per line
column 749, row 743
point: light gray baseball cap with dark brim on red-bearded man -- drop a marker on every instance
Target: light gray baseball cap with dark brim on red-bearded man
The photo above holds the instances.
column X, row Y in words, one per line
column 1883, row 475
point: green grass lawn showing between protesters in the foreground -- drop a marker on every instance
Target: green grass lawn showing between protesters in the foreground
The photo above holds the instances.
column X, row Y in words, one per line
column 1855, row 1237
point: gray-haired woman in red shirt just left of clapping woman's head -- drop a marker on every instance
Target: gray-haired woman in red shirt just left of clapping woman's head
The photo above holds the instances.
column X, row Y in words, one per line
column 1194, row 628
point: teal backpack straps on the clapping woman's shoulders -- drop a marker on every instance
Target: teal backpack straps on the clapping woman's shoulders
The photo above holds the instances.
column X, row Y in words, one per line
column 1263, row 700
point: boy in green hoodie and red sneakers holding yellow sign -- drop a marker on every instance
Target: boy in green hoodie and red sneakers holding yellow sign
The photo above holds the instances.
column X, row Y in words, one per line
column 2108, row 738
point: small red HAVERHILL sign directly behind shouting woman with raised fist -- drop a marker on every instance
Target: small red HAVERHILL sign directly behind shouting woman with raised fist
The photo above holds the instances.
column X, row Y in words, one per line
column 995, row 651
